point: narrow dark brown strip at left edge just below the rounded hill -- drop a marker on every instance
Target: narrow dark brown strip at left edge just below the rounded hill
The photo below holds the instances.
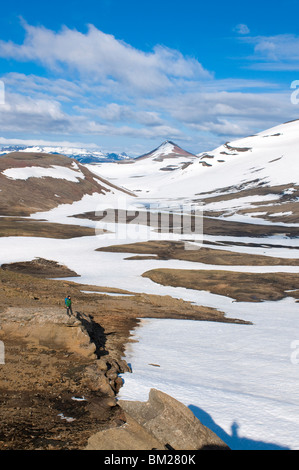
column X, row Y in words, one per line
column 18, row 227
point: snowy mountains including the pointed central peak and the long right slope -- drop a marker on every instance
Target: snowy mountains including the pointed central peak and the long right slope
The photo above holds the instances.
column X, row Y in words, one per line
column 256, row 176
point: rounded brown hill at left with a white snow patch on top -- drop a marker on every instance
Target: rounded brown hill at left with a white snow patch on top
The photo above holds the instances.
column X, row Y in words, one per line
column 33, row 182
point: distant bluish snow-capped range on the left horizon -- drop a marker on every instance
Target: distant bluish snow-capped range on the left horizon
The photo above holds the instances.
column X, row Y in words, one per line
column 82, row 155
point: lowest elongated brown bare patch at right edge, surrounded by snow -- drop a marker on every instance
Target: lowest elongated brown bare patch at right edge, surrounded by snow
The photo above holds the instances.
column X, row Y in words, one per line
column 243, row 287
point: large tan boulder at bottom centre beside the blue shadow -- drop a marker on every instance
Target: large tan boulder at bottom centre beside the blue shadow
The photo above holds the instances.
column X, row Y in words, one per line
column 160, row 423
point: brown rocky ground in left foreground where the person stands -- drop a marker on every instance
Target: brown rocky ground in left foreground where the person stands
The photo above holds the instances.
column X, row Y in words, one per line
column 59, row 383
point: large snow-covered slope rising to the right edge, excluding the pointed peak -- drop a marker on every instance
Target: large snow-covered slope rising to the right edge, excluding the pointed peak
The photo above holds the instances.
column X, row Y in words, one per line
column 255, row 176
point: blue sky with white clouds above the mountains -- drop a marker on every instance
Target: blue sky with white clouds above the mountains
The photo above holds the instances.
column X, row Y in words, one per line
column 124, row 76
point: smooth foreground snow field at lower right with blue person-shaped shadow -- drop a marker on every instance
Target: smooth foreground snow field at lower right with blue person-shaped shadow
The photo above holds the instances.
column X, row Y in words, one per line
column 239, row 380
